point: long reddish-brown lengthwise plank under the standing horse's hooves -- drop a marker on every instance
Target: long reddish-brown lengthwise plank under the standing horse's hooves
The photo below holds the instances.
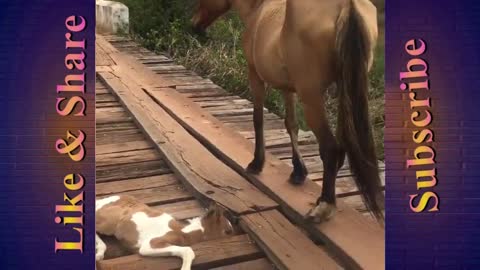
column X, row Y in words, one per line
column 345, row 235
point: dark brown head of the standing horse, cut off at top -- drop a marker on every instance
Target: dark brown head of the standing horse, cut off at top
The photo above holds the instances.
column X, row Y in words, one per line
column 207, row 12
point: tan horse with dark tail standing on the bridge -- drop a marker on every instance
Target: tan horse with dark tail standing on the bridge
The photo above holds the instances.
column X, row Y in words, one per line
column 302, row 47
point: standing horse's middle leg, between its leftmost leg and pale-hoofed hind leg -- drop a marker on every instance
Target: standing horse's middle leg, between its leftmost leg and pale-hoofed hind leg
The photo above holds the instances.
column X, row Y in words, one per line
column 299, row 170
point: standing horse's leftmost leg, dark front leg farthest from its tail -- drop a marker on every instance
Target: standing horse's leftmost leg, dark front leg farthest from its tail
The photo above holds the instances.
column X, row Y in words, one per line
column 257, row 86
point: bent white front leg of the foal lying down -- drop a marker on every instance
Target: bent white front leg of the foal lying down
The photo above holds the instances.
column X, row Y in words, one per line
column 156, row 248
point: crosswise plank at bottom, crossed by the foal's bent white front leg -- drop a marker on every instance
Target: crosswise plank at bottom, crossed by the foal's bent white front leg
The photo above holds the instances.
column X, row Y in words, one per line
column 208, row 254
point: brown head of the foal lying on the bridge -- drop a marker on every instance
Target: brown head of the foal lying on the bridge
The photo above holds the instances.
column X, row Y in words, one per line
column 215, row 223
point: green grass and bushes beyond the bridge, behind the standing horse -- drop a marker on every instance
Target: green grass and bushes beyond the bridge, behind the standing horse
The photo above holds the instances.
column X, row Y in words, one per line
column 164, row 26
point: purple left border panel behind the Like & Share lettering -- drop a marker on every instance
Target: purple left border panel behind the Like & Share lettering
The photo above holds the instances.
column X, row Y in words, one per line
column 32, row 53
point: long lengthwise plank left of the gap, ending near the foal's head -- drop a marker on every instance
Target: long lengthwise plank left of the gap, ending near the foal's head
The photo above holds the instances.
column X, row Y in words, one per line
column 191, row 162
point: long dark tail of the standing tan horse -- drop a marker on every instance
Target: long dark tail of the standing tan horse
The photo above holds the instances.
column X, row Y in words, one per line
column 353, row 46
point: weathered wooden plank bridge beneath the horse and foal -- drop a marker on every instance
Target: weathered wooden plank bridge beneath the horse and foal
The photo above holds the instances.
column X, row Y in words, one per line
column 175, row 140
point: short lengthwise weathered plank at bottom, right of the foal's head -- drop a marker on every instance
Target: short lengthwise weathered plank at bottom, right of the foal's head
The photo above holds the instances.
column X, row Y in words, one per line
column 284, row 243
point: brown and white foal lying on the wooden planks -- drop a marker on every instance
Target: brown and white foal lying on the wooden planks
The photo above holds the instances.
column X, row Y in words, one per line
column 151, row 232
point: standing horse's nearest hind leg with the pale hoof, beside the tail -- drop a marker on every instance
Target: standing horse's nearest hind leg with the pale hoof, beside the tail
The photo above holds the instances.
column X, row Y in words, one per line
column 330, row 153
